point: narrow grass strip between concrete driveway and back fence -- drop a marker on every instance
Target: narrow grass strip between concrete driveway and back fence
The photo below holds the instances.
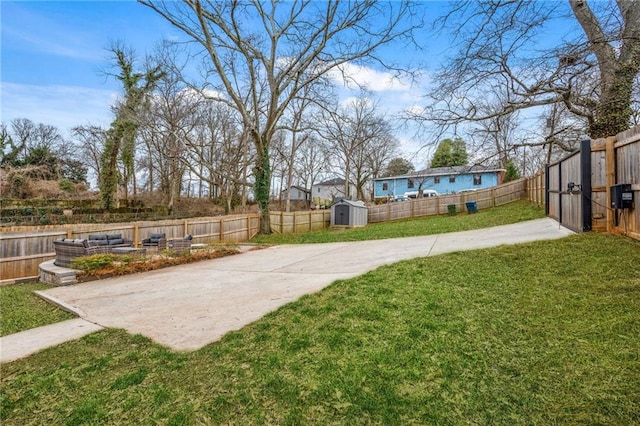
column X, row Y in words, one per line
column 510, row 213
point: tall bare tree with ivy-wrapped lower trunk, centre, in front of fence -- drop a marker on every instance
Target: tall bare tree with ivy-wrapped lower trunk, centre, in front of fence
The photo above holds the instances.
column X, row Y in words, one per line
column 261, row 55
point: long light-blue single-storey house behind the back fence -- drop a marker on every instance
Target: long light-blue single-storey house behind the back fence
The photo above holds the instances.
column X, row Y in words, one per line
column 444, row 180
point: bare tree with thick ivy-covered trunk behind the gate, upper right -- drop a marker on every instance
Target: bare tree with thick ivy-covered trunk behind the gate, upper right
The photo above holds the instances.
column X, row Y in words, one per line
column 592, row 76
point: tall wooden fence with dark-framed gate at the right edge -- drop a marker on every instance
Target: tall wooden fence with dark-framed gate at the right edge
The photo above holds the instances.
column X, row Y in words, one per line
column 577, row 189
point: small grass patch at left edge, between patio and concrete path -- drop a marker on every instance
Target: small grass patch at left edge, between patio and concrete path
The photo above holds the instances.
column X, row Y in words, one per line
column 22, row 310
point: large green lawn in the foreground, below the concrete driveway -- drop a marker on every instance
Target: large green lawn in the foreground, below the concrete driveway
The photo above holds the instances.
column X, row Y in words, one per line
column 541, row 333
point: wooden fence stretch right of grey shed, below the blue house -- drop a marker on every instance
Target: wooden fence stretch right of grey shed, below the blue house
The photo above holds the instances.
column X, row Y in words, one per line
column 429, row 206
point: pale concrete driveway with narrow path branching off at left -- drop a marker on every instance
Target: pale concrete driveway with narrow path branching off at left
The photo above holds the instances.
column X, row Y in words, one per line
column 187, row 307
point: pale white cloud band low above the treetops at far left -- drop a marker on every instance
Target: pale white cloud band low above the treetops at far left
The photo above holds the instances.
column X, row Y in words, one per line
column 61, row 106
